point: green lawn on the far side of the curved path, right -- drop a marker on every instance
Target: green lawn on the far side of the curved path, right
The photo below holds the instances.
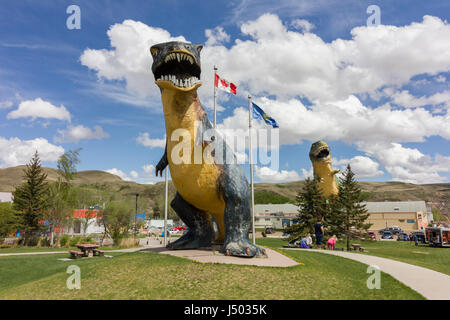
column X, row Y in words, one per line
column 437, row 259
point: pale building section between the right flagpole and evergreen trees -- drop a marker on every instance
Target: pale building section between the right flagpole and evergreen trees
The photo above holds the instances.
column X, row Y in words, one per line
column 277, row 216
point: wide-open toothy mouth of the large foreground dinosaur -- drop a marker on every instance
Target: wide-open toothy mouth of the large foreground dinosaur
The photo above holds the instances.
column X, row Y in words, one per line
column 180, row 68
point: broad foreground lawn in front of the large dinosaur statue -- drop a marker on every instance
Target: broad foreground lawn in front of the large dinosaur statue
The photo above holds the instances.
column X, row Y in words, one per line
column 146, row 275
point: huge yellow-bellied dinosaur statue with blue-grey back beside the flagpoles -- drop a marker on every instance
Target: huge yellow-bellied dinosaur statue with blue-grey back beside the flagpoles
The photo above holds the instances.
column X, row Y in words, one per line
column 203, row 188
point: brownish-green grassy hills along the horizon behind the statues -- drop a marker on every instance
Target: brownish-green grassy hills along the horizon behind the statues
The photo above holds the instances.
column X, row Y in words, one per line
column 264, row 192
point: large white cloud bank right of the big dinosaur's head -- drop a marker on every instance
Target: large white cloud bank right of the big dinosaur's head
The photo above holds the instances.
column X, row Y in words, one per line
column 287, row 63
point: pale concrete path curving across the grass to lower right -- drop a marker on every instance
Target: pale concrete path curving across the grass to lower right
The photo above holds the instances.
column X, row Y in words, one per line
column 431, row 284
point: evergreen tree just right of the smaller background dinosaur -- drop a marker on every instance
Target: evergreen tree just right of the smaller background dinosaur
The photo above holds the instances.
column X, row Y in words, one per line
column 349, row 215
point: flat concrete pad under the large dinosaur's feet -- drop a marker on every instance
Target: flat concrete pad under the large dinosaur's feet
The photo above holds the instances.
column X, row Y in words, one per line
column 273, row 259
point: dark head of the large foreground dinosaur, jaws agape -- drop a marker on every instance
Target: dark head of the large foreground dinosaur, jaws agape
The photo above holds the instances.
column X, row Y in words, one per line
column 176, row 65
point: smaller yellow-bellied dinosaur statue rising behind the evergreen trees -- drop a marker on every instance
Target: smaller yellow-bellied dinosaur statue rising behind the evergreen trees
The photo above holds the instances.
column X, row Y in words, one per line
column 321, row 160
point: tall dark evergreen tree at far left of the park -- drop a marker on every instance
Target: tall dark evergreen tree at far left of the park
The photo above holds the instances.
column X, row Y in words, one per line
column 31, row 198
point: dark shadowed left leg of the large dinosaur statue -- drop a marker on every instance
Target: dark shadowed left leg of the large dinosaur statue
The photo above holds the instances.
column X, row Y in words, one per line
column 200, row 232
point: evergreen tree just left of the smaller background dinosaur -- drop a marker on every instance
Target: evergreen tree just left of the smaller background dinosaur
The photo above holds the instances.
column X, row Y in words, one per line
column 312, row 206
